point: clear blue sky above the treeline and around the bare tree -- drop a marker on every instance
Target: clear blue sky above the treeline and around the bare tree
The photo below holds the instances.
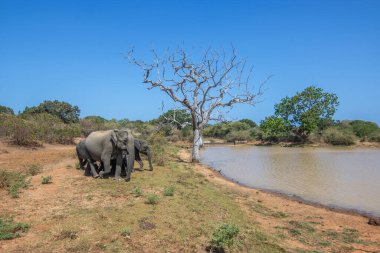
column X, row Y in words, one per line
column 73, row 51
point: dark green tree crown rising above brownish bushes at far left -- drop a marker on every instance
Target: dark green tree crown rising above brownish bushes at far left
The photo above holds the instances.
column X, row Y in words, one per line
column 63, row 110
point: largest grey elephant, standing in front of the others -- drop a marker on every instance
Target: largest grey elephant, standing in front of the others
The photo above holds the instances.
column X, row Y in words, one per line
column 106, row 145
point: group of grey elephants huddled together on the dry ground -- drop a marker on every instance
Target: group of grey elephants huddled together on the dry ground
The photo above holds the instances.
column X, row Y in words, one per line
column 115, row 150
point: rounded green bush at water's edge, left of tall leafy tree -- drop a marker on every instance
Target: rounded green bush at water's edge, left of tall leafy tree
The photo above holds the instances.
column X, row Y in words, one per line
column 274, row 128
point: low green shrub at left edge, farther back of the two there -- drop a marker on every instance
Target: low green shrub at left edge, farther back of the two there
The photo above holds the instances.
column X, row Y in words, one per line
column 13, row 182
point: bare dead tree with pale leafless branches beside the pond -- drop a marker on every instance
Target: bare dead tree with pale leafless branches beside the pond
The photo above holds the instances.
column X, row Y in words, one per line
column 208, row 88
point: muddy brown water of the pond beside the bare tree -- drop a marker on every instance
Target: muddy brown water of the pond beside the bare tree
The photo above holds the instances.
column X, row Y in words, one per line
column 344, row 178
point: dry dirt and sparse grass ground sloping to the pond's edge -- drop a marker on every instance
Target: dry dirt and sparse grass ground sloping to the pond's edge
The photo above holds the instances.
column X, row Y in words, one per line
column 80, row 214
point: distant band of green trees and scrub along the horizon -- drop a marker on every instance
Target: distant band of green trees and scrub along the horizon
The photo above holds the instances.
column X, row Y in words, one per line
column 305, row 117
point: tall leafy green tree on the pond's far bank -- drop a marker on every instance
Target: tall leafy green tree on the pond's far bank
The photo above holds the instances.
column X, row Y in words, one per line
column 307, row 110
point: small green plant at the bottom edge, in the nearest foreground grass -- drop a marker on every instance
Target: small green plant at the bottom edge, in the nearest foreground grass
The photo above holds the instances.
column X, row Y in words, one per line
column 224, row 236
